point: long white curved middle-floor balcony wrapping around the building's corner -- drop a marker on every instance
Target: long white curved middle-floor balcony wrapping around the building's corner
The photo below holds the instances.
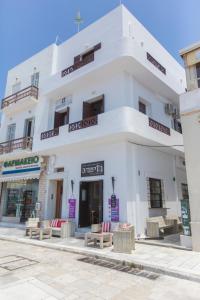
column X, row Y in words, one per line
column 122, row 123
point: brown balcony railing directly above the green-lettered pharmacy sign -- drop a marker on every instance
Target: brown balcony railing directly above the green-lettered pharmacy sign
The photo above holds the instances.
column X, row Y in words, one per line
column 22, row 143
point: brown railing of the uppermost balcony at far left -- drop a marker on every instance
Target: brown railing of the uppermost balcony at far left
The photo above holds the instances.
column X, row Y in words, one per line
column 29, row 91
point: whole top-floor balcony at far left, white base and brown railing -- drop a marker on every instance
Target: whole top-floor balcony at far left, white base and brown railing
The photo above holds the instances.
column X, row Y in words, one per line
column 20, row 100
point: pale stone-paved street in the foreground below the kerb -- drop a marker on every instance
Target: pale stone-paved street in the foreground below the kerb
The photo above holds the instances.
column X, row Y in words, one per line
column 35, row 273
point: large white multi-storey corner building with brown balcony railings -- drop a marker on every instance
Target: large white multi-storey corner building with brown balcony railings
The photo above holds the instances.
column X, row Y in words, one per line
column 82, row 111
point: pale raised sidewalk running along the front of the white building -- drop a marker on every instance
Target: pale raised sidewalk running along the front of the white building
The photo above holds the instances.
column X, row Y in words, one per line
column 173, row 262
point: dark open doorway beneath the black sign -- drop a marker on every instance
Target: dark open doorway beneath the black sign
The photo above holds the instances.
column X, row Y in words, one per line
column 91, row 203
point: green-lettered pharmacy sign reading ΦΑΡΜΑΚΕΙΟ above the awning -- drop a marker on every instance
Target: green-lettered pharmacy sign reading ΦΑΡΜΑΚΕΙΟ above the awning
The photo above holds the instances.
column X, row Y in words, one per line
column 27, row 164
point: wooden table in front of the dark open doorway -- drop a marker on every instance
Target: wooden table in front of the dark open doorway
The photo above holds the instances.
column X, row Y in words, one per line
column 103, row 239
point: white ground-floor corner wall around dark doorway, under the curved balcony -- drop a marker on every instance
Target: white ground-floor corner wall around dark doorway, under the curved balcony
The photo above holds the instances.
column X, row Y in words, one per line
column 130, row 165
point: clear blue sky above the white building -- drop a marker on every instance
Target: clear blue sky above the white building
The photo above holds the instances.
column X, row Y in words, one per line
column 27, row 26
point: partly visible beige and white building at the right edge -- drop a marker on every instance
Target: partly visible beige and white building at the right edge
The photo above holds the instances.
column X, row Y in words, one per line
column 190, row 115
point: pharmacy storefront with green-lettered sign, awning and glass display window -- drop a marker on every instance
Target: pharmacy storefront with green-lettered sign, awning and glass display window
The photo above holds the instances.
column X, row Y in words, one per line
column 19, row 188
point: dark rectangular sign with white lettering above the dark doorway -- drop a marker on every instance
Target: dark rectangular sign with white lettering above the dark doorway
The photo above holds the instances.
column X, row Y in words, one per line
column 92, row 169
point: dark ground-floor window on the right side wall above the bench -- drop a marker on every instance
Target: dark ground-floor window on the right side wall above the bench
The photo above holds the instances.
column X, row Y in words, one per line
column 155, row 193
